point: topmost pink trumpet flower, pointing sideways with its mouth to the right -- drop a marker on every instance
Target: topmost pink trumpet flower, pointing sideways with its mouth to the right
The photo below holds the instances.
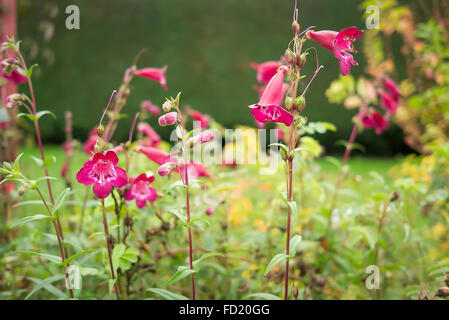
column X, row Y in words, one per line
column 339, row 43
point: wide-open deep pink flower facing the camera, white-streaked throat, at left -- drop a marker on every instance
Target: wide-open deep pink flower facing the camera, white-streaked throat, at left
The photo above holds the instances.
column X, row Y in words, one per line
column 103, row 173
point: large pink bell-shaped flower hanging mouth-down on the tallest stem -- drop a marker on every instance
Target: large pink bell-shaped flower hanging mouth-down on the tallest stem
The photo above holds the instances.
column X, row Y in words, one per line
column 268, row 108
